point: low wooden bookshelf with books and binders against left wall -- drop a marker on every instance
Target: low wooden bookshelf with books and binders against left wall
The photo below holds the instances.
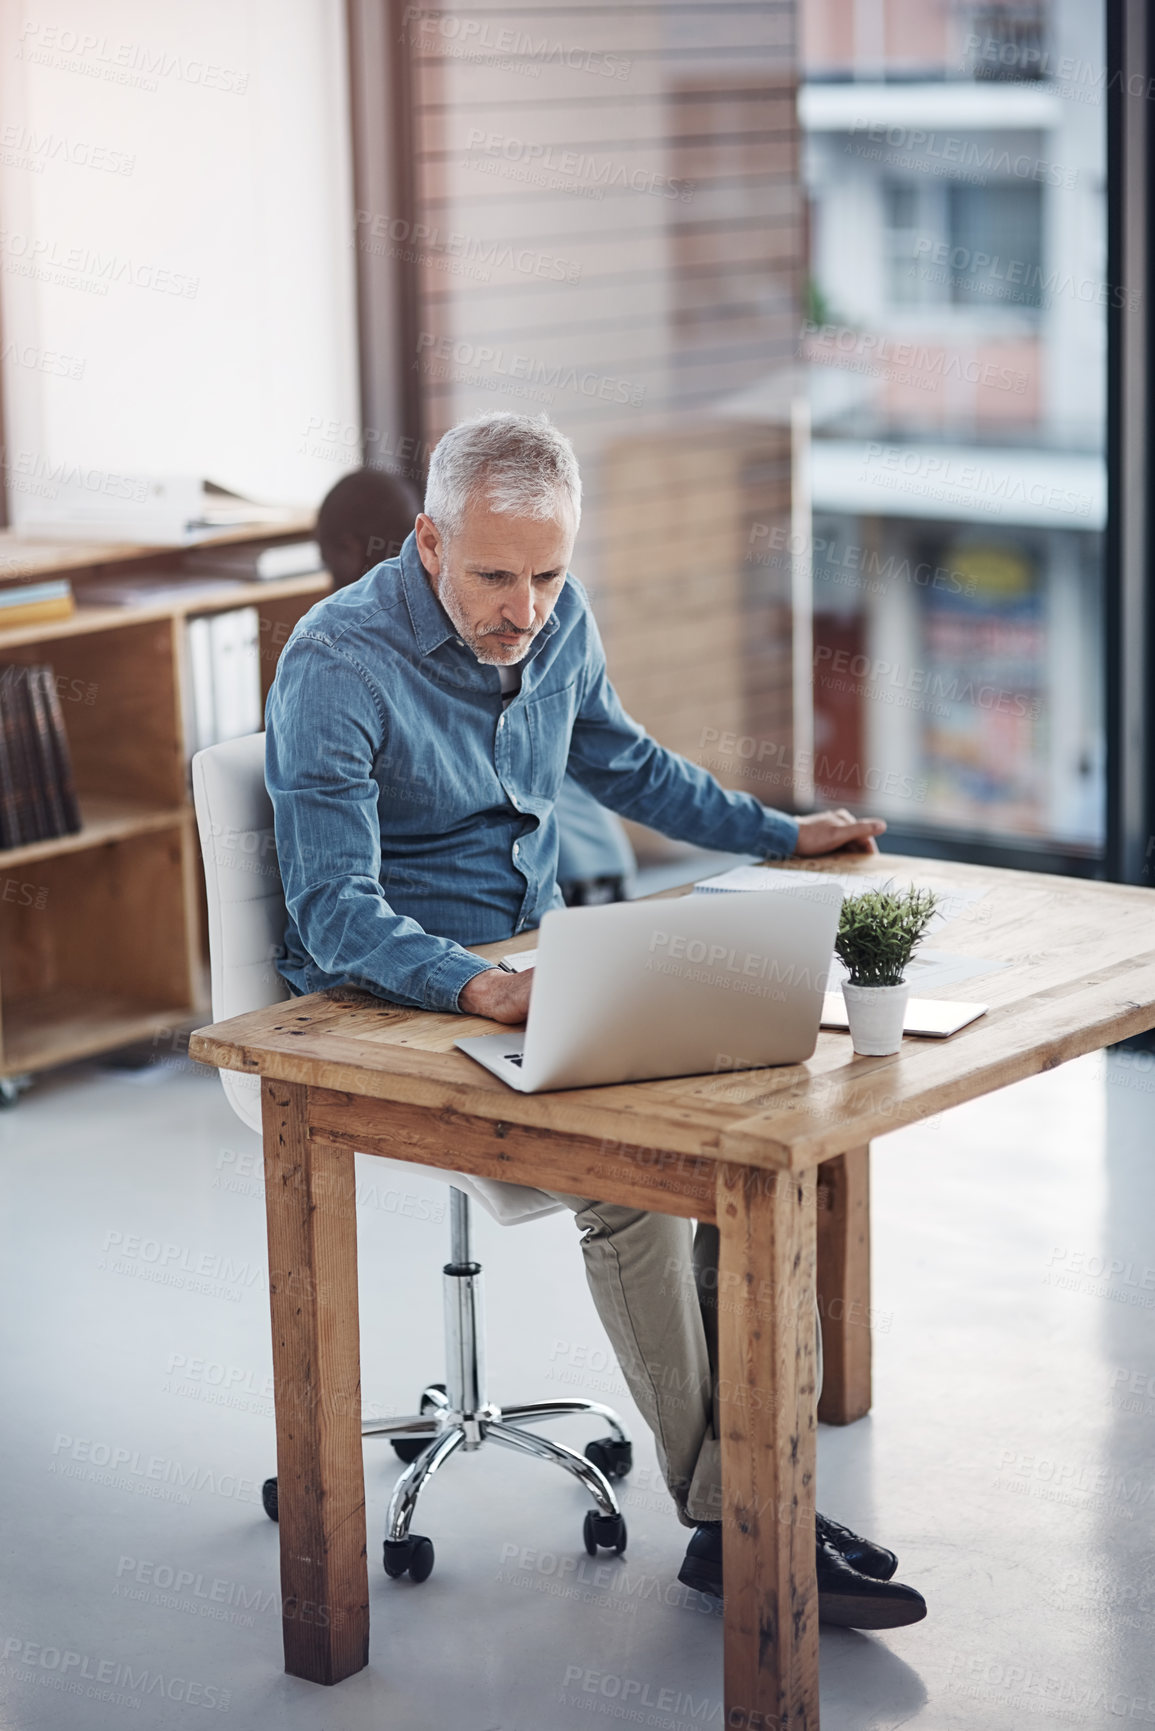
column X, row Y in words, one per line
column 103, row 932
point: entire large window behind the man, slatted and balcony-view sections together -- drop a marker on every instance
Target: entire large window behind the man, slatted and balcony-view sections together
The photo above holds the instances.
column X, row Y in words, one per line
column 834, row 359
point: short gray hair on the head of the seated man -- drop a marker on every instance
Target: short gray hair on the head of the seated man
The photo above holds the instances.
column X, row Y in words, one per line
column 522, row 467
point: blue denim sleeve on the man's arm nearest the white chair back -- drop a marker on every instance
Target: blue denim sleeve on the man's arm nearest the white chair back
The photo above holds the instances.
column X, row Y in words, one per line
column 328, row 833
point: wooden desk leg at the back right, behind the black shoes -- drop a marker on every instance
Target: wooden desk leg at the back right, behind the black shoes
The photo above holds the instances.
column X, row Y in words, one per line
column 844, row 1285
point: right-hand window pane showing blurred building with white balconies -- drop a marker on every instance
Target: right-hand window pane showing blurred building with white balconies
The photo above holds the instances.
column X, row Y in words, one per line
column 958, row 364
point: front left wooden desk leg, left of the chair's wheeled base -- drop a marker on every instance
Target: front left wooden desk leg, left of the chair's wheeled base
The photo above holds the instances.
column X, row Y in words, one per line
column 316, row 1346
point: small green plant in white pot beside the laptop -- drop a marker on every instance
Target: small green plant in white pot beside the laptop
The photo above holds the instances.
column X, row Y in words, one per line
column 879, row 932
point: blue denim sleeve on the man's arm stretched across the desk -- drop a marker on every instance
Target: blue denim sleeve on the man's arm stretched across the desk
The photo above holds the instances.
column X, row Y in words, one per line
column 617, row 761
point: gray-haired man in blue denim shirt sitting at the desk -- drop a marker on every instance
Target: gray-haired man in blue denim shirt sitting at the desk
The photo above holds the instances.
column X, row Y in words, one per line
column 418, row 735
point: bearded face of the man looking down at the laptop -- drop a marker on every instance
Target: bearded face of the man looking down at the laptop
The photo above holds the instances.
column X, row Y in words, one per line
column 498, row 579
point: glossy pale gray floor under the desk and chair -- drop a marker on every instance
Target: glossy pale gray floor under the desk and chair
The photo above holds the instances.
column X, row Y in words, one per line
column 1009, row 1460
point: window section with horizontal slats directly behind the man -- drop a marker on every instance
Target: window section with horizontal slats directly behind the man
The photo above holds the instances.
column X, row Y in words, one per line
column 612, row 219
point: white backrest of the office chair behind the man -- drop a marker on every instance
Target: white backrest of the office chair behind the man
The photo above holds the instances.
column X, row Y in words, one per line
column 243, row 892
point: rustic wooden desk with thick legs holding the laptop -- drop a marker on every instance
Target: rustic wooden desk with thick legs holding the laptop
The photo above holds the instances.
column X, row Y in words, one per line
column 751, row 1150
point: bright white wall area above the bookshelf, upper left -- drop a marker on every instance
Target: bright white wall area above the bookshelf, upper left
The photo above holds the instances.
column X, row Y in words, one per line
column 177, row 278
